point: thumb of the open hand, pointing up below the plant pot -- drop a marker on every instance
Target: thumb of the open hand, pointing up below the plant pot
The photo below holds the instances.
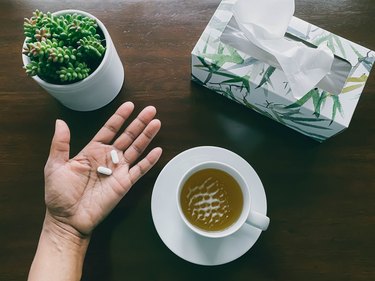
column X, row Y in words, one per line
column 60, row 143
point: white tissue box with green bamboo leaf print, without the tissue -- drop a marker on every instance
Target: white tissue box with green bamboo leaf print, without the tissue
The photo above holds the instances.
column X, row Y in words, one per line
column 219, row 64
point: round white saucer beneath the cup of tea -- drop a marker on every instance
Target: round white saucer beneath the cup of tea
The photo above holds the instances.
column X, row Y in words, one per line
column 176, row 235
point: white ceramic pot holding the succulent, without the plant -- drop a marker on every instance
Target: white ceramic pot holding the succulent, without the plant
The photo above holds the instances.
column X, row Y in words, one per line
column 99, row 88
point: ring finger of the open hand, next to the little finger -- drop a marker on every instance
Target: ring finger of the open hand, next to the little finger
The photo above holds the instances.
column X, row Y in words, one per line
column 136, row 148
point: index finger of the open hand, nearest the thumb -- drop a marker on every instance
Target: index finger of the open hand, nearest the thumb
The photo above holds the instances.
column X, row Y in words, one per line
column 114, row 124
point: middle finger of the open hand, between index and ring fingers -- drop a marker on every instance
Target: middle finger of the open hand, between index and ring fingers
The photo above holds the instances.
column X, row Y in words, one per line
column 136, row 128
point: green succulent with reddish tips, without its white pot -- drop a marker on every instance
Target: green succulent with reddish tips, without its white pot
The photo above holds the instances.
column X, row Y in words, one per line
column 62, row 49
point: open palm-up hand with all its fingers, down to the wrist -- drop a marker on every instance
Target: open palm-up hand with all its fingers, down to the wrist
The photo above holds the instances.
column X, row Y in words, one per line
column 77, row 197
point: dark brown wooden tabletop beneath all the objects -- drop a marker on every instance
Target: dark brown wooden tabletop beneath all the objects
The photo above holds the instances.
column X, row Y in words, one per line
column 321, row 197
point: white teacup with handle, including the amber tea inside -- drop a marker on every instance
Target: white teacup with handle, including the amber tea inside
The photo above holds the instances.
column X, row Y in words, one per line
column 214, row 200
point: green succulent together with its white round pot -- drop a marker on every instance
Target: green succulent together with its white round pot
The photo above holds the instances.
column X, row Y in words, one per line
column 71, row 55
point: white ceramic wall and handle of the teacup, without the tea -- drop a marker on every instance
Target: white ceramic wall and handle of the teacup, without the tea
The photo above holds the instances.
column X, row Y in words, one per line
column 247, row 214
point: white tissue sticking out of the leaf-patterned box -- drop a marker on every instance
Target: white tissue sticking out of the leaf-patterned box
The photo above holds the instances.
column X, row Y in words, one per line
column 264, row 24
